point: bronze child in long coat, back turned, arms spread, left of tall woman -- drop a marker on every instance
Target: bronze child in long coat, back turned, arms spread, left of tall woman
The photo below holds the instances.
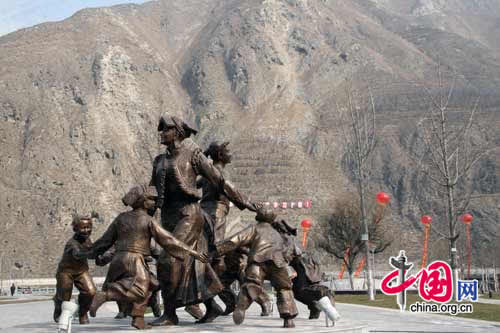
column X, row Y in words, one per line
column 129, row 278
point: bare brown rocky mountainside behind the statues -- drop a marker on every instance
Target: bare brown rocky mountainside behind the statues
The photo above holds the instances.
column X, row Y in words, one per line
column 80, row 100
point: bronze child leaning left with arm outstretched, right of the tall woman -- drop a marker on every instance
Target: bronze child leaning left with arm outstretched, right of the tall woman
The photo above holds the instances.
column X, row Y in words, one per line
column 265, row 262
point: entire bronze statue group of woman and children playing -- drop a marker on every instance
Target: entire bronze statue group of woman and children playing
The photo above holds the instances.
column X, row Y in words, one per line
column 195, row 259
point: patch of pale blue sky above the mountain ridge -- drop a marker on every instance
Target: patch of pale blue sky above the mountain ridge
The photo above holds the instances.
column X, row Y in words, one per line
column 17, row 14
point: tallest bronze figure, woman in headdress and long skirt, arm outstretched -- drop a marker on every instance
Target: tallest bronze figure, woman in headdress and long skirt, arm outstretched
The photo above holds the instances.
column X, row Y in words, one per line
column 186, row 281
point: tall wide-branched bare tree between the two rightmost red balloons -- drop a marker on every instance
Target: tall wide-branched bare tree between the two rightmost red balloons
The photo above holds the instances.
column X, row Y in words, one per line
column 449, row 152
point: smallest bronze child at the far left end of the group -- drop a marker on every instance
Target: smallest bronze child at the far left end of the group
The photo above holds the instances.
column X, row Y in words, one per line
column 74, row 269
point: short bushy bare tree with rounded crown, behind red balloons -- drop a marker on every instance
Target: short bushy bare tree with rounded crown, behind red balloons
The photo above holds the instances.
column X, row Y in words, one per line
column 339, row 234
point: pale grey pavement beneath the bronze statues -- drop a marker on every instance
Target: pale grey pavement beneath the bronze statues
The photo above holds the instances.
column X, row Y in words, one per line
column 36, row 317
